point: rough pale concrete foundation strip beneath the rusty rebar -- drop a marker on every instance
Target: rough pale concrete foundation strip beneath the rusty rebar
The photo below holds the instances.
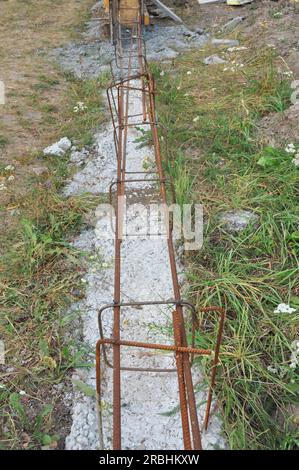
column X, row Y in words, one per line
column 150, row 401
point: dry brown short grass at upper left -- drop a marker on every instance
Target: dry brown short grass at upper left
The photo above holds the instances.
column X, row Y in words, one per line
column 35, row 88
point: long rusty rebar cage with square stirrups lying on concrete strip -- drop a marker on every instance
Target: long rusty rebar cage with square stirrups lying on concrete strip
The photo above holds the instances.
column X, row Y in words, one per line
column 130, row 73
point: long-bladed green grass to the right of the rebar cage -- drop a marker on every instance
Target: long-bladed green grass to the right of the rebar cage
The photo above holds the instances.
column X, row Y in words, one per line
column 213, row 153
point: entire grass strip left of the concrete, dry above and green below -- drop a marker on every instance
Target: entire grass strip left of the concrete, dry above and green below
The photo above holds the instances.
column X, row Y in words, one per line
column 40, row 271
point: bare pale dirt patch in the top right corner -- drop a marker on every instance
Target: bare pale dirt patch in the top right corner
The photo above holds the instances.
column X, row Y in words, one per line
column 264, row 22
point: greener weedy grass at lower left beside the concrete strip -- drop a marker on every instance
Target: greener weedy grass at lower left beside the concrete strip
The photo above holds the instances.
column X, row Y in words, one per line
column 40, row 272
